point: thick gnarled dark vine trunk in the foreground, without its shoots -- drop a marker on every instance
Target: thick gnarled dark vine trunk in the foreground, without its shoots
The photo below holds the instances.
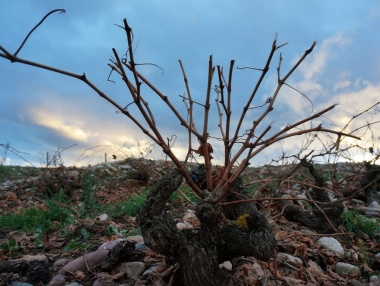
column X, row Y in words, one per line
column 200, row 252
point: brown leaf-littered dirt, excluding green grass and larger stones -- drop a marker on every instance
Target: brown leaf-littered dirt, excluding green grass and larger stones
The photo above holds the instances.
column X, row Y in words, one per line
column 22, row 189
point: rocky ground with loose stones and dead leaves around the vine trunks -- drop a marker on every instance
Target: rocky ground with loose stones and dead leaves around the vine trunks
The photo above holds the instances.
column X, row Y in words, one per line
column 303, row 257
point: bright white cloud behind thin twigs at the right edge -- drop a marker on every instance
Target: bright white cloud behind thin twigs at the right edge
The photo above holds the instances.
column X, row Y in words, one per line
column 354, row 108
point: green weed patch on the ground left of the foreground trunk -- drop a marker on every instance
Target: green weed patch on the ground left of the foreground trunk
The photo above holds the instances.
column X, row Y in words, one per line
column 61, row 216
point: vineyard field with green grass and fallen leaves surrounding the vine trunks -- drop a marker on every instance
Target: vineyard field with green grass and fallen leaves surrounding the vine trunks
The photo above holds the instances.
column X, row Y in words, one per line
column 65, row 213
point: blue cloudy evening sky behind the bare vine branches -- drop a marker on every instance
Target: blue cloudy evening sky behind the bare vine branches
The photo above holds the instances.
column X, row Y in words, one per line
column 46, row 113
